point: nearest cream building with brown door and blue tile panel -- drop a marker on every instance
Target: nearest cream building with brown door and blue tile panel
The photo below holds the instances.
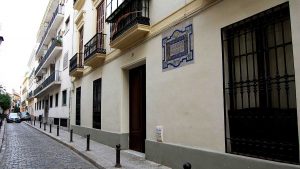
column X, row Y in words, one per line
column 210, row 82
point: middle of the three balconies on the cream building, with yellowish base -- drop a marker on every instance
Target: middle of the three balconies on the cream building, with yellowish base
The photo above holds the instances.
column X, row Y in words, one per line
column 94, row 51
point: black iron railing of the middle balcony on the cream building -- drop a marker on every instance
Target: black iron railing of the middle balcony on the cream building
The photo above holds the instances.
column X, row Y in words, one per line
column 95, row 45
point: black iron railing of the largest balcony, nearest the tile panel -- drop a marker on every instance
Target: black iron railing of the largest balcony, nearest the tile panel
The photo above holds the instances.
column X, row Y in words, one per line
column 127, row 15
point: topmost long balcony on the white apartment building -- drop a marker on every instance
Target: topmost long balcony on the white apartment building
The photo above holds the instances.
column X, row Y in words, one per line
column 53, row 24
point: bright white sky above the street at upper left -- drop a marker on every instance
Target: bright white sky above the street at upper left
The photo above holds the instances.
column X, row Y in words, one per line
column 19, row 23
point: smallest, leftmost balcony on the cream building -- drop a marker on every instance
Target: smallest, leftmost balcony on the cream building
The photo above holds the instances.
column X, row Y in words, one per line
column 76, row 65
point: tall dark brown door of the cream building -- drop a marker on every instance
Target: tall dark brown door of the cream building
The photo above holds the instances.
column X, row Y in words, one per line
column 137, row 108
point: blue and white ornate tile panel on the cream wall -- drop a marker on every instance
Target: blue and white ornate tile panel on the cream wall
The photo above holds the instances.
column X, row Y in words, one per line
column 178, row 46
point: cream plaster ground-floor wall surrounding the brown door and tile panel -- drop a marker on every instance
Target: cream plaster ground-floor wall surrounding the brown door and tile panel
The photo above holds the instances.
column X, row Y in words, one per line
column 187, row 101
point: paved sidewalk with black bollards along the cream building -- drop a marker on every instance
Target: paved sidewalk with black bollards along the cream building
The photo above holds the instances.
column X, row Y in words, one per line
column 100, row 155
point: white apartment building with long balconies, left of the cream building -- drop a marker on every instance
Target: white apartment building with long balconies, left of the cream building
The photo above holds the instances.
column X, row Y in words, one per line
column 51, row 74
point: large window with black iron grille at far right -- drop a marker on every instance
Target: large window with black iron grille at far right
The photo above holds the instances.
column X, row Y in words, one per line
column 259, row 87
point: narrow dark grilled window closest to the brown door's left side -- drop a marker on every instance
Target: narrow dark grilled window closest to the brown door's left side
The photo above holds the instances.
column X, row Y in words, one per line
column 97, row 104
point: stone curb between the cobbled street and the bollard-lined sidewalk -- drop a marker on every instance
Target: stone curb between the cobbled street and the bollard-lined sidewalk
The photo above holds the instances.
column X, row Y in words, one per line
column 70, row 147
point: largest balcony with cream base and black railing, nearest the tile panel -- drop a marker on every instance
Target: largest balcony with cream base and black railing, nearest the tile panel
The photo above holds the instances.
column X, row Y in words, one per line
column 130, row 23
